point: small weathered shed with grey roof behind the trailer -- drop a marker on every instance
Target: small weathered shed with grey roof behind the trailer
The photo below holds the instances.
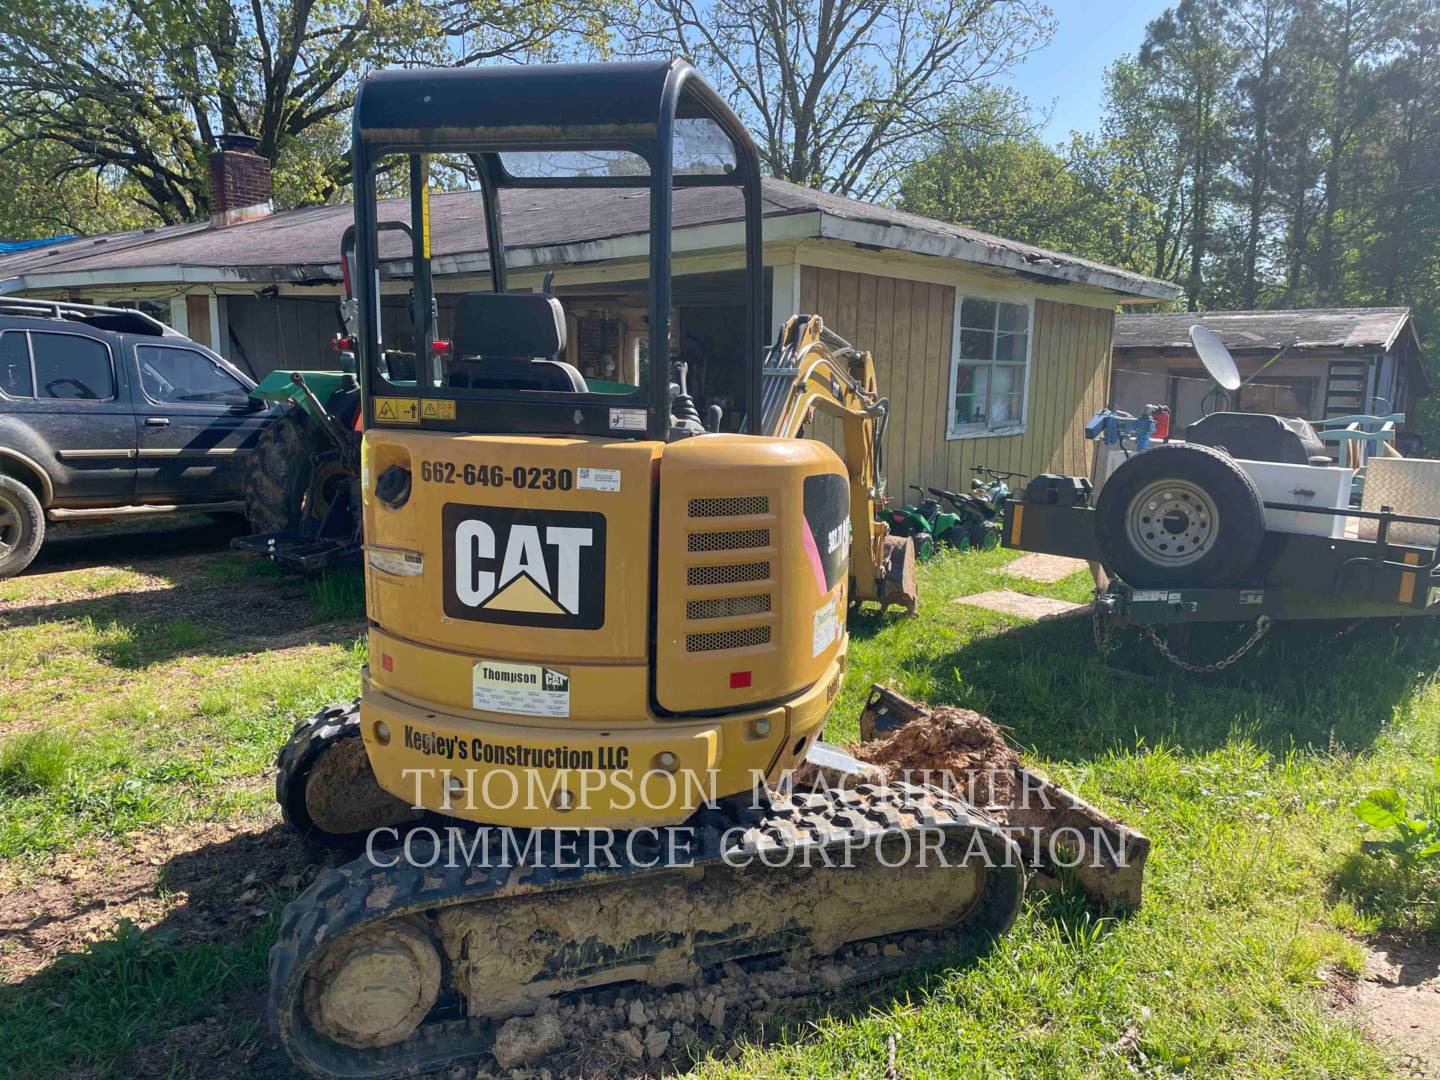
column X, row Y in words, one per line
column 1338, row 362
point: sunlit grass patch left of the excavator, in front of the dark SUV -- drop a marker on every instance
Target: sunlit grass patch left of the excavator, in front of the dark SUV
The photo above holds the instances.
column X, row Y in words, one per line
column 132, row 721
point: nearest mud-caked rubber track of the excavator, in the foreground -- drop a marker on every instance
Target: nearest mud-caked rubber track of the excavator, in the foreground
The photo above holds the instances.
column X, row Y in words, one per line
column 394, row 970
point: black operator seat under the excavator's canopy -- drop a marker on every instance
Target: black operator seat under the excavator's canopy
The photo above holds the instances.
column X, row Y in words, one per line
column 510, row 342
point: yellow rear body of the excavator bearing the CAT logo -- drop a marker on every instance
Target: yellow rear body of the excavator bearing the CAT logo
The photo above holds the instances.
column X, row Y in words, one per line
column 613, row 631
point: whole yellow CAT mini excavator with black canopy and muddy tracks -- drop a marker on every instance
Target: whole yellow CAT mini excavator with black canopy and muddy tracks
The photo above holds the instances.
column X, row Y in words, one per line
column 598, row 607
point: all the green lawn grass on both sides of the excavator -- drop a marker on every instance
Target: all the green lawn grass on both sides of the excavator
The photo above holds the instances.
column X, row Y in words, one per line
column 1256, row 889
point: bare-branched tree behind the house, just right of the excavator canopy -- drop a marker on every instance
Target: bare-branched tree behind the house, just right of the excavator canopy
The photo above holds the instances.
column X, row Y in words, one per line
column 843, row 94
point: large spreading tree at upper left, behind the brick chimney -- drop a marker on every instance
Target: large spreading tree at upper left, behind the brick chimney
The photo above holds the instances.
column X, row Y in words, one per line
column 145, row 89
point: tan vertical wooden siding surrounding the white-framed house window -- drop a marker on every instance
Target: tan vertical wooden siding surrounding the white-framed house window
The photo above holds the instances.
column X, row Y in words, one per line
column 909, row 328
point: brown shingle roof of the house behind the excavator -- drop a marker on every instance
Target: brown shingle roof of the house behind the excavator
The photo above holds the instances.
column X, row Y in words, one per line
column 305, row 244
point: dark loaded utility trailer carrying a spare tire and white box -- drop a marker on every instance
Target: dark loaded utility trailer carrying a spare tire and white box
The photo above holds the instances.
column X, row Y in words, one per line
column 1248, row 521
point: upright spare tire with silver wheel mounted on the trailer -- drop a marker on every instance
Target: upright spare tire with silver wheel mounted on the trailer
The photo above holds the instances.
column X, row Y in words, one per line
column 1180, row 516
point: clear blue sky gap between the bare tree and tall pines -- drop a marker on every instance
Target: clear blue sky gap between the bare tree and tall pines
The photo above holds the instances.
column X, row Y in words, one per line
column 1069, row 74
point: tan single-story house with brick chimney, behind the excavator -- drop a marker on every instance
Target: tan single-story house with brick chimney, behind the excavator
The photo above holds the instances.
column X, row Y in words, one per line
column 991, row 352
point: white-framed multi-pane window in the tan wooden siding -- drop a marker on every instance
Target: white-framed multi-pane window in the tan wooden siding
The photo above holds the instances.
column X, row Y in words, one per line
column 990, row 368
